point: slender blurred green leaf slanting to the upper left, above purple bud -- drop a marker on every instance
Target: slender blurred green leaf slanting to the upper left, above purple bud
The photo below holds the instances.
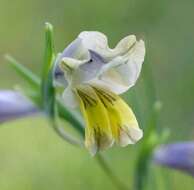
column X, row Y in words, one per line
column 24, row 72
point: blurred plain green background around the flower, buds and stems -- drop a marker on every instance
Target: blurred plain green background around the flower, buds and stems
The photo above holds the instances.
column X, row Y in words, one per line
column 32, row 156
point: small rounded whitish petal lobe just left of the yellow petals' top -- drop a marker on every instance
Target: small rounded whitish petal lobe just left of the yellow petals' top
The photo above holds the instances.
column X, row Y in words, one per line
column 69, row 98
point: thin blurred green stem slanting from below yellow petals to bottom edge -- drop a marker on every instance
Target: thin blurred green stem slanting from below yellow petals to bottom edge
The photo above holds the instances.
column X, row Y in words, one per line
column 109, row 172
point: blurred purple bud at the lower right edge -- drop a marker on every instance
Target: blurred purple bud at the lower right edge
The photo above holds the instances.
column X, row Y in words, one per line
column 177, row 156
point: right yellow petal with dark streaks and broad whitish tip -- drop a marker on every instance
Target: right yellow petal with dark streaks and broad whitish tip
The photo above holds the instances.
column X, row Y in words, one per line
column 123, row 122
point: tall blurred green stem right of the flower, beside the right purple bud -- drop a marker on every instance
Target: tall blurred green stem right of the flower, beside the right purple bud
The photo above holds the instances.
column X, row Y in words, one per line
column 149, row 141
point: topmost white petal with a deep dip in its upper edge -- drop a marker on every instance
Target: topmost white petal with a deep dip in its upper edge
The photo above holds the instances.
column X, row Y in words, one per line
column 98, row 42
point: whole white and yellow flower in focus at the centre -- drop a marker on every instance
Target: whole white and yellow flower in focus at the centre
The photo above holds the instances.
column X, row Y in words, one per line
column 93, row 76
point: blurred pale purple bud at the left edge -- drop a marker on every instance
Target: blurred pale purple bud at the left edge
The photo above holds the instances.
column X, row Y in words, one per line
column 13, row 105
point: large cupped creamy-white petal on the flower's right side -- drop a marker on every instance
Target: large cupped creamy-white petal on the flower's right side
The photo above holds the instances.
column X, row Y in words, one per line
column 123, row 71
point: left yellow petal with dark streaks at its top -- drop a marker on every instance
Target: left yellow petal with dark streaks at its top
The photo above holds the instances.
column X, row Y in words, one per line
column 98, row 135
